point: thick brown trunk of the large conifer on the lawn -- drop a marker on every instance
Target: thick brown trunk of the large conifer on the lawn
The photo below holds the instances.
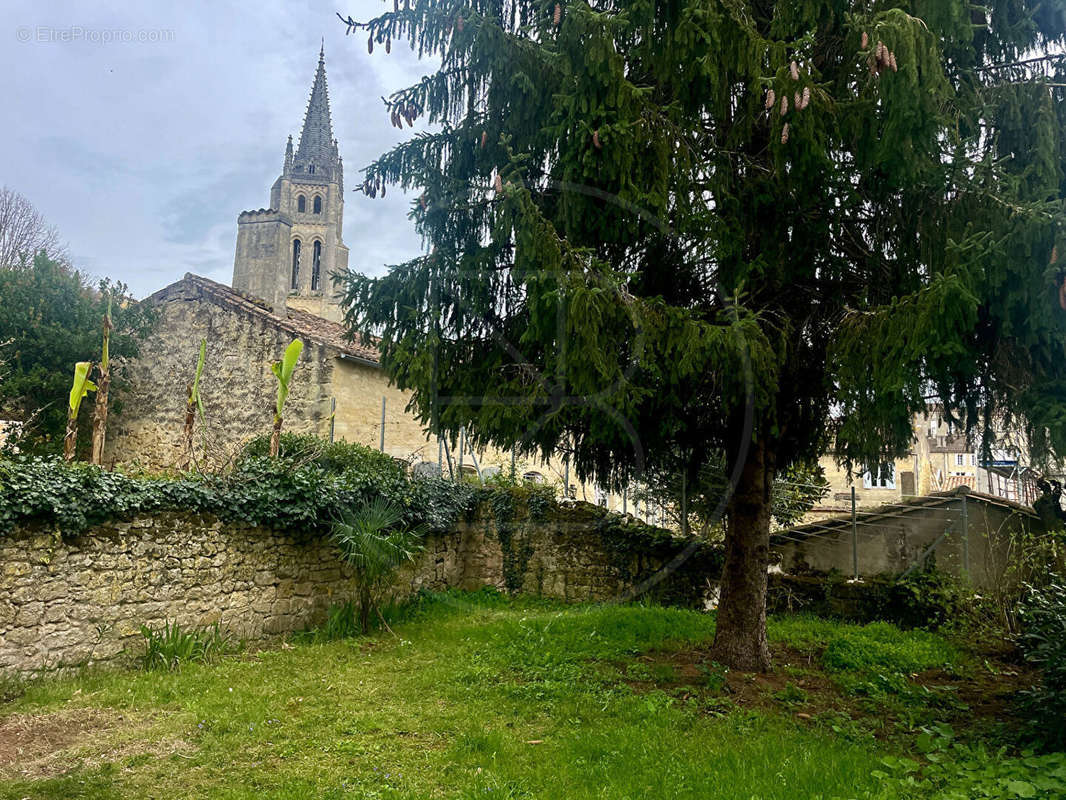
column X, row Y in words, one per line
column 740, row 636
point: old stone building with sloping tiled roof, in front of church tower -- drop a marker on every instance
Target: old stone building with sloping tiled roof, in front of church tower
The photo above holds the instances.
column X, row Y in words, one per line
column 337, row 390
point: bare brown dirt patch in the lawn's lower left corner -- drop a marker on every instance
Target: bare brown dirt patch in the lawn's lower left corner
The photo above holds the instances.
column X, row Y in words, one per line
column 50, row 745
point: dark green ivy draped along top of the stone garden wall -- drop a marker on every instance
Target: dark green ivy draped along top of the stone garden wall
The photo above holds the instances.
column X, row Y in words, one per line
column 302, row 490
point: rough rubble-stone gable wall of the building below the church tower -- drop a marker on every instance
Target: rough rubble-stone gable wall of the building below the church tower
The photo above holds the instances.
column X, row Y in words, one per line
column 238, row 388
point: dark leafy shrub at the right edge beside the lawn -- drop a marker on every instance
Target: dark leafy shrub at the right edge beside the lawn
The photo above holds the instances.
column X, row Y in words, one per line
column 1043, row 642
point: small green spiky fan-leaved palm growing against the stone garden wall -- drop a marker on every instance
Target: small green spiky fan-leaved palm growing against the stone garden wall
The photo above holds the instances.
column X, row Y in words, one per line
column 375, row 545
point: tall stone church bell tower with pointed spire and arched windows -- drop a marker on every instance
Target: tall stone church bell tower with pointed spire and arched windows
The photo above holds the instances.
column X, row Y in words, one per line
column 287, row 254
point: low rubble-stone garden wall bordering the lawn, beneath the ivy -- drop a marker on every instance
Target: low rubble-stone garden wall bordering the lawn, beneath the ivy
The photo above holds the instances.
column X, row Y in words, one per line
column 72, row 601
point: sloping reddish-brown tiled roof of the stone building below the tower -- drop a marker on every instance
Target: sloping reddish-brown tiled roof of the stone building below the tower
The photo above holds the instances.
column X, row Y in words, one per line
column 308, row 327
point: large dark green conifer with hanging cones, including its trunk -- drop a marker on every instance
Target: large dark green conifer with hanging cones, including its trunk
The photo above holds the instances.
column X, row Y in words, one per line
column 691, row 232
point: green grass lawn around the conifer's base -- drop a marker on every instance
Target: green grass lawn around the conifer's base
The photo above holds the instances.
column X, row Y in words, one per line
column 481, row 697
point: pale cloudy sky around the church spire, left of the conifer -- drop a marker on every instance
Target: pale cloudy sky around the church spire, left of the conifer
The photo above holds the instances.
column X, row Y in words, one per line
column 143, row 154
